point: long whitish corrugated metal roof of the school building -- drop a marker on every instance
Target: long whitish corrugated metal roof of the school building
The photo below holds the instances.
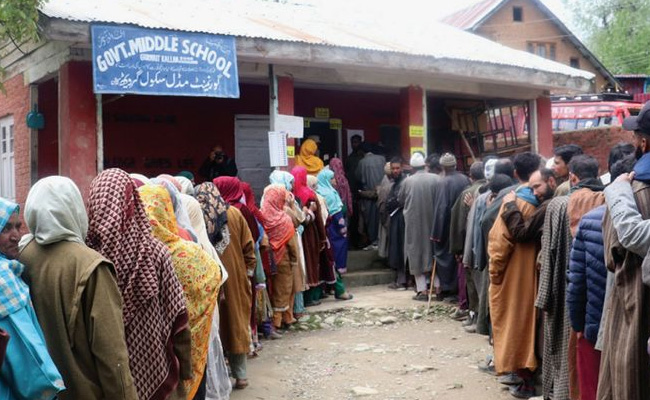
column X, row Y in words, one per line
column 306, row 24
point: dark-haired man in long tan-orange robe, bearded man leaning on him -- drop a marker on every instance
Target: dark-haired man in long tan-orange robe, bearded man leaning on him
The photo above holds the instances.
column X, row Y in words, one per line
column 513, row 287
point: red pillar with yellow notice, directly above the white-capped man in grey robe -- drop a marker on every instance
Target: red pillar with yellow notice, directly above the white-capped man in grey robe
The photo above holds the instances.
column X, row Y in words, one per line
column 412, row 121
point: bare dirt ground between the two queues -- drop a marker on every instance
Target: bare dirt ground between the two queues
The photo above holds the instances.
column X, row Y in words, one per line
column 380, row 345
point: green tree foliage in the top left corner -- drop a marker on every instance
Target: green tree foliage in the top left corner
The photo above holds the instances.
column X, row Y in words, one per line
column 18, row 24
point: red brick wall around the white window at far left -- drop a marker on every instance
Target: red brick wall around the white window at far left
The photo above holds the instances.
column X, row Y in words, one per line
column 16, row 102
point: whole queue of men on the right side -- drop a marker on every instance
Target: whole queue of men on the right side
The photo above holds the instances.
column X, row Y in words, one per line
column 549, row 263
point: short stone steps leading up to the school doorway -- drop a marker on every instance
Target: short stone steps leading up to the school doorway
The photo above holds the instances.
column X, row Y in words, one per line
column 365, row 268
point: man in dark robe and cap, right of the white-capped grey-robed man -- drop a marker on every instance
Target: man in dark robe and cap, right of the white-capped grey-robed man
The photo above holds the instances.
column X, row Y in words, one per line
column 451, row 186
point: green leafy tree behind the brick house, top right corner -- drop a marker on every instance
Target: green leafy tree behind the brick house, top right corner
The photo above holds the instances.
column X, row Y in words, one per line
column 618, row 32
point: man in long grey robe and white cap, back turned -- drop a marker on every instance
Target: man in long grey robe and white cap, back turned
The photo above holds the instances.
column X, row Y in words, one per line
column 416, row 197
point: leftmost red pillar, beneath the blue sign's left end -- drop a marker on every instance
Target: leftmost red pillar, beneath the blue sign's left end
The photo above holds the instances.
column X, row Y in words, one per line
column 77, row 124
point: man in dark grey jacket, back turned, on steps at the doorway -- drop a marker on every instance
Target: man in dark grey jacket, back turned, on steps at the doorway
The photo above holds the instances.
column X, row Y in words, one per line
column 370, row 173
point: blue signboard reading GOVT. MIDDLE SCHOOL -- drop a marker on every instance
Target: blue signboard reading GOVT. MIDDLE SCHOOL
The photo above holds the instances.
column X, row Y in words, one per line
column 136, row 60
